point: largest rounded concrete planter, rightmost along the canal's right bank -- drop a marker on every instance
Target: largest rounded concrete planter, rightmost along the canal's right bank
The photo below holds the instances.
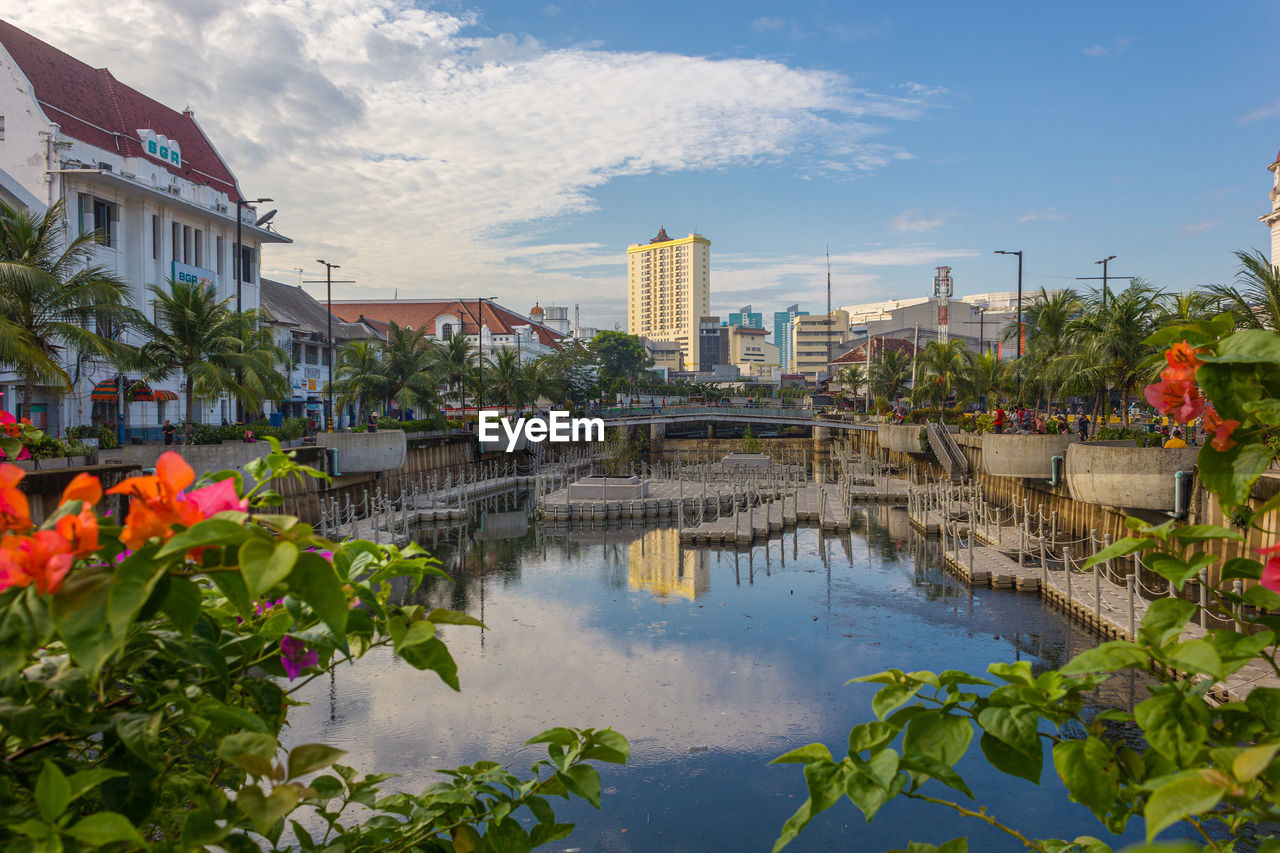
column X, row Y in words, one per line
column 1140, row 478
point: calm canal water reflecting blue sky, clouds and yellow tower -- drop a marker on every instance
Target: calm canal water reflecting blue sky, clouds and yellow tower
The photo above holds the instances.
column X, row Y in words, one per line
column 712, row 663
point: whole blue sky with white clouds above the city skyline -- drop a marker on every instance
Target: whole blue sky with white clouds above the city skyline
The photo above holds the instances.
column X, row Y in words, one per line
column 515, row 150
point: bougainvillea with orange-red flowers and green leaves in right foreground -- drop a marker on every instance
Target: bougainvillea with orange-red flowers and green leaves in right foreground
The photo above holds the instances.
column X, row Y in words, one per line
column 1209, row 772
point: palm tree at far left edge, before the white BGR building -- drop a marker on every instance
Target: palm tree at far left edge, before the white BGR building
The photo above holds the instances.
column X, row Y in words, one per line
column 54, row 299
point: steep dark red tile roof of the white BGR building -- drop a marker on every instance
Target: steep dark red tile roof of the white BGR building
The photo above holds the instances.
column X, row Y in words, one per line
column 93, row 107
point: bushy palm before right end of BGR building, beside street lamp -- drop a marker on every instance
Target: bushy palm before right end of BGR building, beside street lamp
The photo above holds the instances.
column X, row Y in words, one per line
column 207, row 343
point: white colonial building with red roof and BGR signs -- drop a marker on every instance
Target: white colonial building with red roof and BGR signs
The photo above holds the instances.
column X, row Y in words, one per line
column 149, row 179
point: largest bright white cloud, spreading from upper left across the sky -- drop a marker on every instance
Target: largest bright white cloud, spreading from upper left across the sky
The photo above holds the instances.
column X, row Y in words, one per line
column 415, row 152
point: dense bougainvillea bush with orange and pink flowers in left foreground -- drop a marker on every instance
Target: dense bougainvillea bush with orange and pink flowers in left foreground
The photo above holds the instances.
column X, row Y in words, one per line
column 148, row 668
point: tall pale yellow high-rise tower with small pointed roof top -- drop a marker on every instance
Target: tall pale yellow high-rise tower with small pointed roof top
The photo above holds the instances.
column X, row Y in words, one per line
column 669, row 290
